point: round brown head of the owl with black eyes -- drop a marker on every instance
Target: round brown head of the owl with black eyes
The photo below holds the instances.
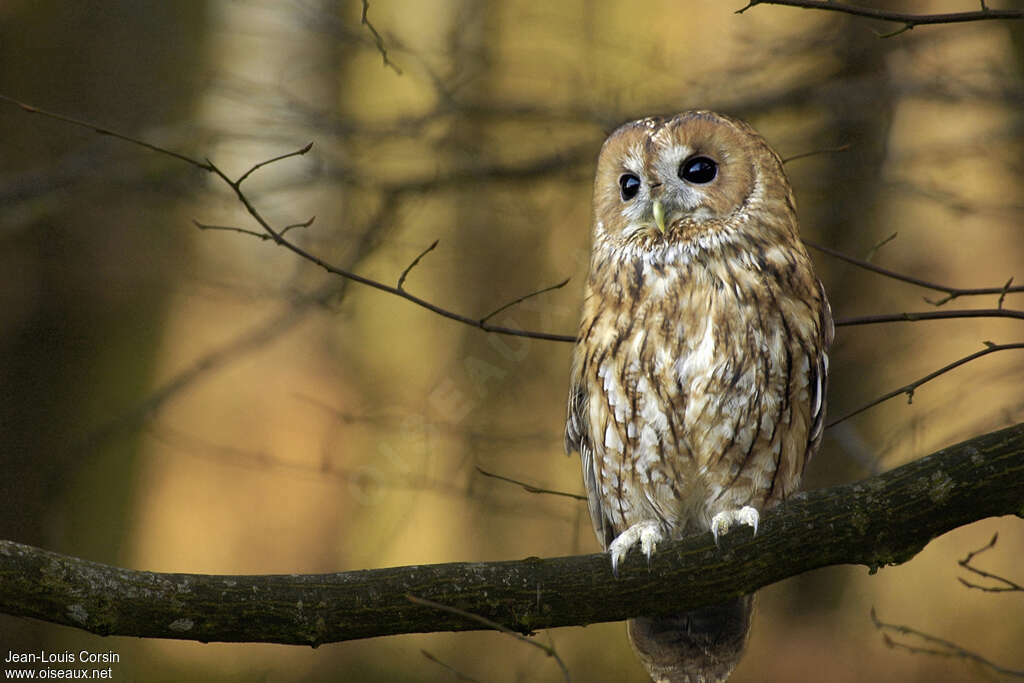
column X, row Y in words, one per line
column 666, row 181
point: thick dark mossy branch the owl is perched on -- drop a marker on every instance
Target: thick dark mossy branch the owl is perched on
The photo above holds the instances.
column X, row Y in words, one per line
column 886, row 520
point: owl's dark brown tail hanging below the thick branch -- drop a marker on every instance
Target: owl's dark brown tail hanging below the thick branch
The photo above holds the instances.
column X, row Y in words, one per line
column 699, row 647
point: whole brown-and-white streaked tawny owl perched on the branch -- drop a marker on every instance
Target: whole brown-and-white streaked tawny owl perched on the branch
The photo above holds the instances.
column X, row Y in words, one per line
column 699, row 379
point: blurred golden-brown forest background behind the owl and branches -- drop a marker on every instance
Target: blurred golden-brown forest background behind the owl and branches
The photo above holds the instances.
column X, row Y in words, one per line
column 179, row 400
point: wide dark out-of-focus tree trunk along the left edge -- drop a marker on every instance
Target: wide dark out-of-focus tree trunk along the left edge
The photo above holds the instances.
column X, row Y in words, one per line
column 84, row 264
